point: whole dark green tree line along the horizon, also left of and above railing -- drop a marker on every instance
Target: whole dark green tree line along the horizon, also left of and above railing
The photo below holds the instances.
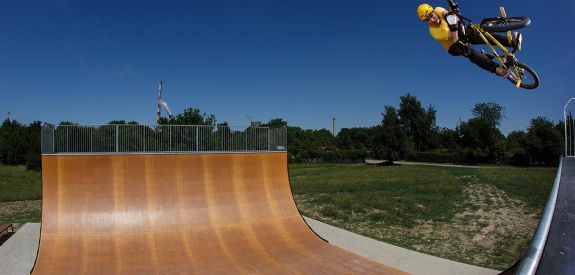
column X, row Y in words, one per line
column 407, row 132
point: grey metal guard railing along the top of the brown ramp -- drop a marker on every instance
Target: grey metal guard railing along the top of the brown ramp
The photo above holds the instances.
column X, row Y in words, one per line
column 128, row 138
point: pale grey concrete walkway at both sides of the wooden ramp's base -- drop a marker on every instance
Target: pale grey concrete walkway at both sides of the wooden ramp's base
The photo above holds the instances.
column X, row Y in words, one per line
column 17, row 254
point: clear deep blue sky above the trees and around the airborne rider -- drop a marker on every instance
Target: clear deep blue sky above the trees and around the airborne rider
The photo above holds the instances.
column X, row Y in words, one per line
column 304, row 61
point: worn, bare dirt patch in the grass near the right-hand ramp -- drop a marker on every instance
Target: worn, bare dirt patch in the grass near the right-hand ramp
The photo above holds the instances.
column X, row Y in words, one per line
column 490, row 223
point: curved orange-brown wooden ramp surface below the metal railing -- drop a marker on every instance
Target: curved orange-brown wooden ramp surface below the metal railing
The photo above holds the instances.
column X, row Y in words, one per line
column 179, row 214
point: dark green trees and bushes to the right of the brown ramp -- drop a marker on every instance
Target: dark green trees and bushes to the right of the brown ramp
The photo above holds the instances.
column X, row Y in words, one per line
column 409, row 132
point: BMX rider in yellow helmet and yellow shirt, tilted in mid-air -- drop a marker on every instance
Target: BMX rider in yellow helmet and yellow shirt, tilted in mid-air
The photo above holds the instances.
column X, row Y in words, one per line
column 447, row 29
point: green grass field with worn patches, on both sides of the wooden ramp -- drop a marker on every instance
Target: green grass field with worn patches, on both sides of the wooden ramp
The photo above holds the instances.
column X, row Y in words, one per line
column 484, row 217
